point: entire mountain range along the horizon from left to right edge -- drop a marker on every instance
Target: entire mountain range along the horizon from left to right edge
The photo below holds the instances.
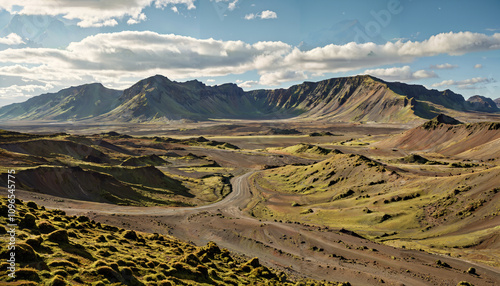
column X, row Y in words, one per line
column 353, row 99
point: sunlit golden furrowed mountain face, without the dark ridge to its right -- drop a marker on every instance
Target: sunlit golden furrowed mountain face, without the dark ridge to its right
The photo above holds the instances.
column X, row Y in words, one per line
column 359, row 98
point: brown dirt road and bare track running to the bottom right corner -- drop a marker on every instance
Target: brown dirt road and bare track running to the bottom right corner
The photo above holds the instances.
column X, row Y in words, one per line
column 300, row 250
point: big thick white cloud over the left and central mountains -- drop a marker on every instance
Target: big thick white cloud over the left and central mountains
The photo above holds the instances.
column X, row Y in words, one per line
column 139, row 54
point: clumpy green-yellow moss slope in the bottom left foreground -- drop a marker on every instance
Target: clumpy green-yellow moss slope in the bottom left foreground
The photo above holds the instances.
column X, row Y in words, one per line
column 82, row 251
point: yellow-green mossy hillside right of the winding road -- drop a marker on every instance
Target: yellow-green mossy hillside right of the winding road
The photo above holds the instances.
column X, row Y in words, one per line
column 393, row 203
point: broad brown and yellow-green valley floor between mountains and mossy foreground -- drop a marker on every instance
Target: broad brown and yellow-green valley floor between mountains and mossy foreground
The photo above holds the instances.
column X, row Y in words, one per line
column 375, row 214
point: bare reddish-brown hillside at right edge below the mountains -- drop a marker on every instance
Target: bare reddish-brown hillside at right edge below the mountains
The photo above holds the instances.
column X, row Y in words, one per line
column 449, row 137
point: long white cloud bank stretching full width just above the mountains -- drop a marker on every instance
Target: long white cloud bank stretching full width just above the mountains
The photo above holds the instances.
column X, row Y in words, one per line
column 122, row 57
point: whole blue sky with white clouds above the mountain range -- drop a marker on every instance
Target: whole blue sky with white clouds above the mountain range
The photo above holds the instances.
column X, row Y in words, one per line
column 48, row 45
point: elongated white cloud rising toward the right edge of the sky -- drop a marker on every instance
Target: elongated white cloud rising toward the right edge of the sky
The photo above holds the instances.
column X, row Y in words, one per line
column 352, row 56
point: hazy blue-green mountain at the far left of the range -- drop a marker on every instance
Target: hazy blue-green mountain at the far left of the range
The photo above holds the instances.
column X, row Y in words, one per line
column 72, row 103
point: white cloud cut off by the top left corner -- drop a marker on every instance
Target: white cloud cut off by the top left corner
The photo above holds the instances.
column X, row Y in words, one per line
column 92, row 13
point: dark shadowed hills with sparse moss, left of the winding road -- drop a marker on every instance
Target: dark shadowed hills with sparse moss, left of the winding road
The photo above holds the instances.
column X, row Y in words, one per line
column 117, row 169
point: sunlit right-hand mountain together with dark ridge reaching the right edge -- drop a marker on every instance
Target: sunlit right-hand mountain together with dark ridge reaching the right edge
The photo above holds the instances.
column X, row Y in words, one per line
column 364, row 98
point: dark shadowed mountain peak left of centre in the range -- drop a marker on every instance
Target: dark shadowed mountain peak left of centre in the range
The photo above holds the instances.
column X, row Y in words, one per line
column 159, row 98
